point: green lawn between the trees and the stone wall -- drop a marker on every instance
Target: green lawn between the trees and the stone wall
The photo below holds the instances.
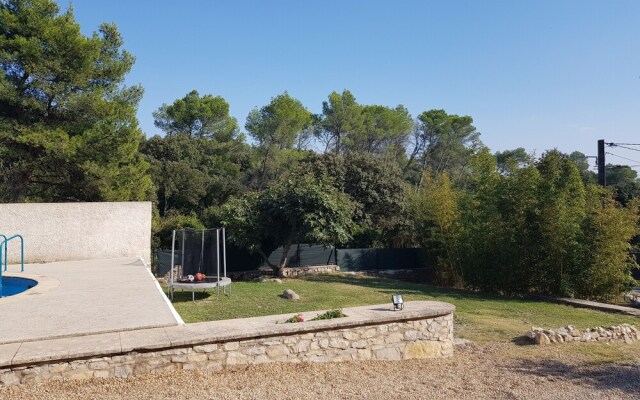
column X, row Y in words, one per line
column 480, row 317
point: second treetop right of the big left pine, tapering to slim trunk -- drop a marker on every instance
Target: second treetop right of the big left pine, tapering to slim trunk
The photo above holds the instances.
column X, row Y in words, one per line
column 276, row 127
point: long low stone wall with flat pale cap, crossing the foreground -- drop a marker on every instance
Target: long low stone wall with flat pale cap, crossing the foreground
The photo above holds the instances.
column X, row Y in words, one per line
column 424, row 329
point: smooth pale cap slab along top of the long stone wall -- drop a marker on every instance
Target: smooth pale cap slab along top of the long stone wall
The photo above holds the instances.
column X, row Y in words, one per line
column 28, row 353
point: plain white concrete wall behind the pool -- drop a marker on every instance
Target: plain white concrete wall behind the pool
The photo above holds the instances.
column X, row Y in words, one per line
column 77, row 231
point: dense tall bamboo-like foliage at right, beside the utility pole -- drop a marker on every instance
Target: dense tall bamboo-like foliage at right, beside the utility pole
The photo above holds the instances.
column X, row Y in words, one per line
column 538, row 229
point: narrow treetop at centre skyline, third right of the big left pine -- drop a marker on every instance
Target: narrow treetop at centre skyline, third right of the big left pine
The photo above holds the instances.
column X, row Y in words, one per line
column 341, row 116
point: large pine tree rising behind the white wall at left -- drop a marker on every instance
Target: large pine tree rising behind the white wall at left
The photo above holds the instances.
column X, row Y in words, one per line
column 68, row 129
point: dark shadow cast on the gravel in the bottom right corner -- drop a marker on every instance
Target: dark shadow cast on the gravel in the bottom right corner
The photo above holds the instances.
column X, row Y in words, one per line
column 623, row 377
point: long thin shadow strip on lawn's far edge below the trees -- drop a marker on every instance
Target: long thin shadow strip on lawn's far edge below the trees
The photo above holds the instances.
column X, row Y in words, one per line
column 390, row 286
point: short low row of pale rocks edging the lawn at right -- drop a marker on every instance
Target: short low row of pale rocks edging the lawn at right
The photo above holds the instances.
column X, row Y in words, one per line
column 625, row 332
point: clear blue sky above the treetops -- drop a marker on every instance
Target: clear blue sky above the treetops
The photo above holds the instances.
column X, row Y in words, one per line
column 532, row 74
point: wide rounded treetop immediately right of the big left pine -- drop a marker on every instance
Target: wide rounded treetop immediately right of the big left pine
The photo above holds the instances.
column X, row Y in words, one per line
column 198, row 117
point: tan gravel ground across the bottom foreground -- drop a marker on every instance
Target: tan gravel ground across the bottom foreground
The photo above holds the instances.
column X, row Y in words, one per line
column 474, row 372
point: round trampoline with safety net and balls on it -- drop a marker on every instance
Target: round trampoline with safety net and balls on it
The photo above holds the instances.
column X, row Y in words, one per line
column 199, row 261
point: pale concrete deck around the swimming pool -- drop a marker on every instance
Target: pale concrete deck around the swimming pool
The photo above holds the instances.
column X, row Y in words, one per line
column 76, row 298
